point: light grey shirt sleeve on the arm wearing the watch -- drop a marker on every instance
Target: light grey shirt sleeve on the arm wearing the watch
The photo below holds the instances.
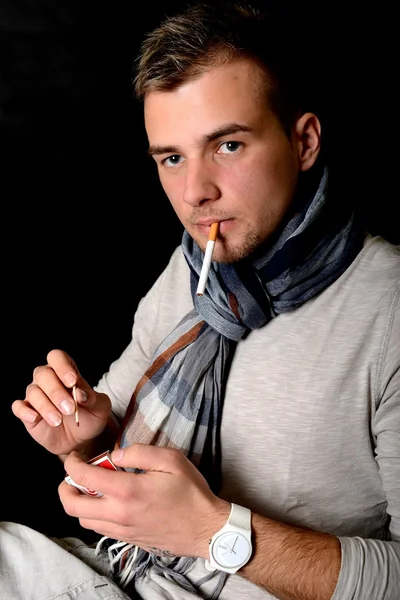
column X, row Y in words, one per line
column 371, row 568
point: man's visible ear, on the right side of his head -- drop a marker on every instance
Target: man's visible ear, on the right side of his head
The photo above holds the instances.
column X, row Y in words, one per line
column 307, row 136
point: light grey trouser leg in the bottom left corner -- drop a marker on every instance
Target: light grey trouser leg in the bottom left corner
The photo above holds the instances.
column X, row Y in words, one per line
column 36, row 567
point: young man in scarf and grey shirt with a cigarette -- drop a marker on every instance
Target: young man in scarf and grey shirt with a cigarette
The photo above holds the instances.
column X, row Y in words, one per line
column 262, row 415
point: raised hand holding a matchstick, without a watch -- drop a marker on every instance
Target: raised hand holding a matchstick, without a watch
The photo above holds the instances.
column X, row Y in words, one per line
column 48, row 408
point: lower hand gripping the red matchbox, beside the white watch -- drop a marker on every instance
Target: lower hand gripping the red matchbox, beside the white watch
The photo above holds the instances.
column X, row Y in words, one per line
column 168, row 510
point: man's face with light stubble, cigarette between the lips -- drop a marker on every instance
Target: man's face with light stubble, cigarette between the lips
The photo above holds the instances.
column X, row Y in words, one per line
column 222, row 155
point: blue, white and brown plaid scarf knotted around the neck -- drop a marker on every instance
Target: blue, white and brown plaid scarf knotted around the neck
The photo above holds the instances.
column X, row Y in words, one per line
column 178, row 402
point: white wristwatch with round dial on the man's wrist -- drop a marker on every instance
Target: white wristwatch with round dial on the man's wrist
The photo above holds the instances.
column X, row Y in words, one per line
column 230, row 547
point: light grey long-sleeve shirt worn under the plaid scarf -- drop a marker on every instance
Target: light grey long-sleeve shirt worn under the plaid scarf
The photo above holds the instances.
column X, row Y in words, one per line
column 311, row 418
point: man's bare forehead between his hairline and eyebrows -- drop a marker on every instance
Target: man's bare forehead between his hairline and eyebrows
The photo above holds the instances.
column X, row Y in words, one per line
column 229, row 93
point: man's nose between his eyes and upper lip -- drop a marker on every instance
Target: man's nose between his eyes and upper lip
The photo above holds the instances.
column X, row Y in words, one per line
column 200, row 185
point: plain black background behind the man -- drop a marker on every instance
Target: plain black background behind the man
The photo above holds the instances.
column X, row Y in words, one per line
column 79, row 194
